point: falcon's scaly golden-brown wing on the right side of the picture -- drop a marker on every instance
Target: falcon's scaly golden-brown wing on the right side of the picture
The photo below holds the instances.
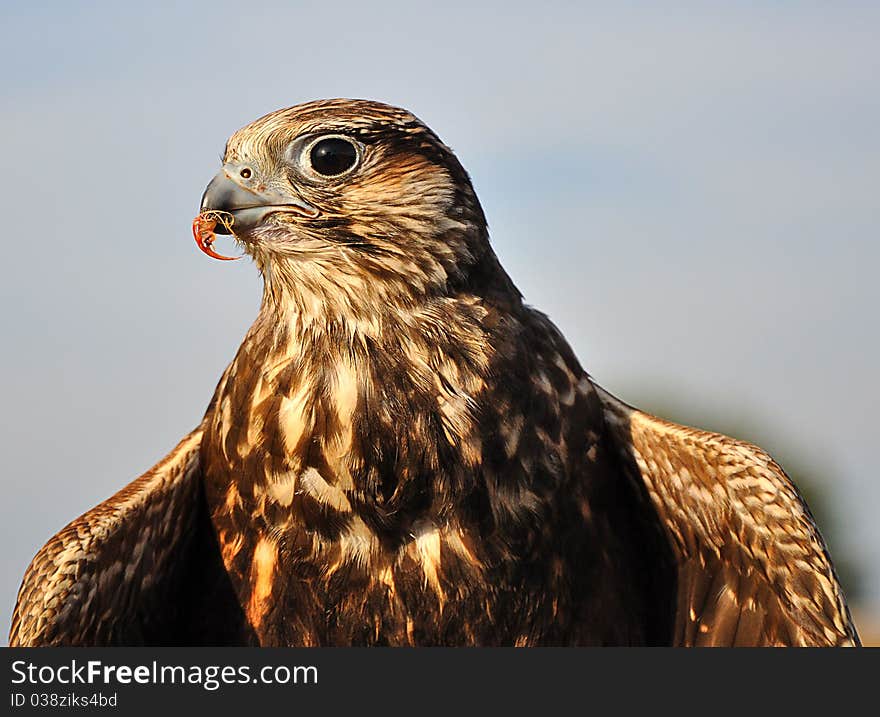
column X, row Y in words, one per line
column 752, row 566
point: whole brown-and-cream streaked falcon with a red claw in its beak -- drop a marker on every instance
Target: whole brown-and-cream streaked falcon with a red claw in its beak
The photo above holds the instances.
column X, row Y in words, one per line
column 403, row 452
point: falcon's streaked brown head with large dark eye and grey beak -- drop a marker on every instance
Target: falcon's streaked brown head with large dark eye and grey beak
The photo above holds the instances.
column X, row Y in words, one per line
column 353, row 199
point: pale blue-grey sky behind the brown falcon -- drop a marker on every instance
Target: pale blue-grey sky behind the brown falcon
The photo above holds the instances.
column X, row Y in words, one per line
column 690, row 192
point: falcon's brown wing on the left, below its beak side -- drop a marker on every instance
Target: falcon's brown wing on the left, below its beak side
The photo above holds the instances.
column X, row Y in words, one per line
column 110, row 576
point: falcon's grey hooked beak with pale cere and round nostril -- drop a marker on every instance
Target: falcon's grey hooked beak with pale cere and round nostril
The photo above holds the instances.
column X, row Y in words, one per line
column 247, row 205
